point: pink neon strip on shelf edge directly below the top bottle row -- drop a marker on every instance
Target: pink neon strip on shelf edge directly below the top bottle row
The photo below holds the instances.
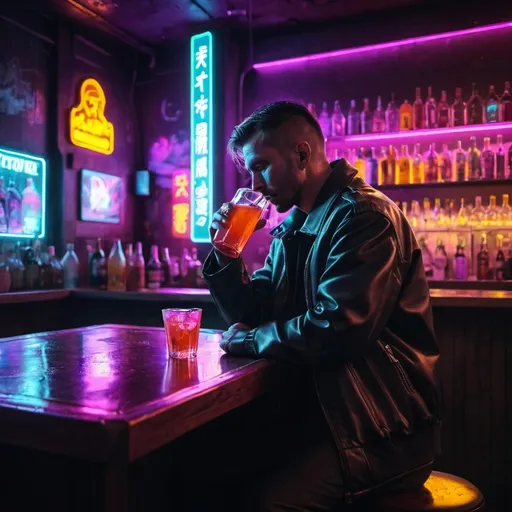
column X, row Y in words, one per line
column 415, row 134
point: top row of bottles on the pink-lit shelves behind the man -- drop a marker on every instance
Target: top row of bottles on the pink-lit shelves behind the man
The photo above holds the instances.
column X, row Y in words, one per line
column 416, row 116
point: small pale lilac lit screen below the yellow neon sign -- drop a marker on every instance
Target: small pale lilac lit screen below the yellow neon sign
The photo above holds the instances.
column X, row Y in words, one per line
column 101, row 197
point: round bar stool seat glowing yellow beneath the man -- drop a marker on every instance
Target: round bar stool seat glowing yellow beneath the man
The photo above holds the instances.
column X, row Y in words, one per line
column 442, row 492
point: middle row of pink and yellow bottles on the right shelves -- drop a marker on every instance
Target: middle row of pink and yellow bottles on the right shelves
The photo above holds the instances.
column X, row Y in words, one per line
column 492, row 162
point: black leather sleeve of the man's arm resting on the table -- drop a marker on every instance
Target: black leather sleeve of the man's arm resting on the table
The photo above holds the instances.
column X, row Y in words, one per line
column 356, row 295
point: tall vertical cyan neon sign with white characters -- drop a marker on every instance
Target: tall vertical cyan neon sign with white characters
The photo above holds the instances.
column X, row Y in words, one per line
column 201, row 129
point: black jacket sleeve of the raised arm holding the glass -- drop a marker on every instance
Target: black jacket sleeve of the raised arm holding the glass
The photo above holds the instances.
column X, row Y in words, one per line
column 239, row 297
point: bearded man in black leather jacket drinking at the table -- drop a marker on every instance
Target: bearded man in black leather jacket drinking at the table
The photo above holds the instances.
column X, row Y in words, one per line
column 343, row 294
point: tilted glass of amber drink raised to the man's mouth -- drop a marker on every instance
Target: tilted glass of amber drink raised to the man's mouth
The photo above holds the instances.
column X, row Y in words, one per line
column 247, row 208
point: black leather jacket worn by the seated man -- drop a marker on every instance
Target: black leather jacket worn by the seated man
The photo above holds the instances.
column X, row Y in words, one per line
column 367, row 333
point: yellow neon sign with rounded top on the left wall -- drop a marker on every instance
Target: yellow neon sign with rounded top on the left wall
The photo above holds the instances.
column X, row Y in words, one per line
column 88, row 126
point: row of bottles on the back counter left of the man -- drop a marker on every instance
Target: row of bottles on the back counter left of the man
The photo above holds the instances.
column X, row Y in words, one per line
column 30, row 267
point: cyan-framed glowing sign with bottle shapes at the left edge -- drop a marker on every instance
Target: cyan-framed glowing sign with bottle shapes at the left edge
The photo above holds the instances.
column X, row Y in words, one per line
column 22, row 195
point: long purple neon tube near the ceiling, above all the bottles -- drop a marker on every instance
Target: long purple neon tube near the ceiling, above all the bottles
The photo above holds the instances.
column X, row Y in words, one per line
column 381, row 46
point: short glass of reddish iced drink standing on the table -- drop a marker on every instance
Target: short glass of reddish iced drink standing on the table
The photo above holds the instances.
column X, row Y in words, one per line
column 182, row 331
